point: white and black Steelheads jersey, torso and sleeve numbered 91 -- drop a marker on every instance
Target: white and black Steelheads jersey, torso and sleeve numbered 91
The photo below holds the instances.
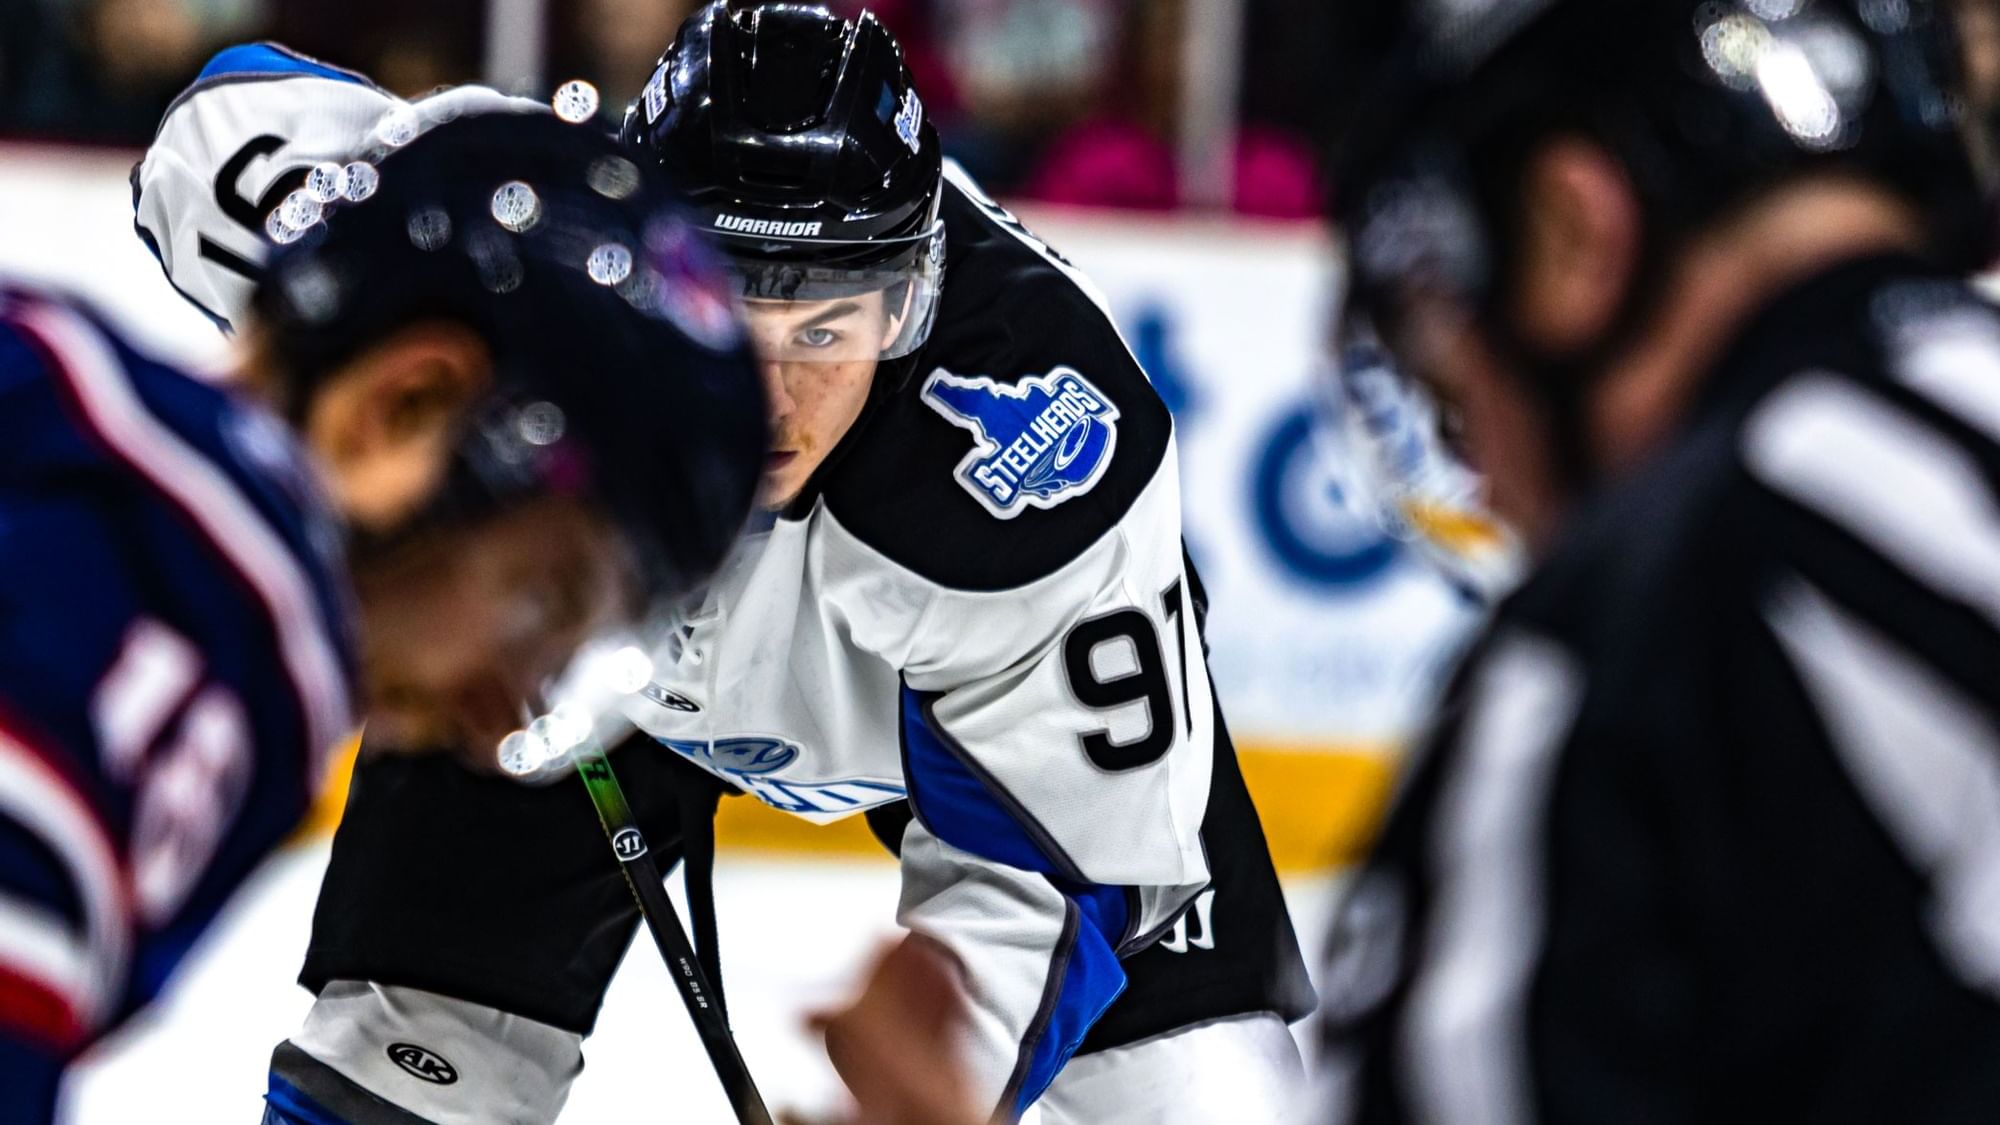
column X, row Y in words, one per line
column 983, row 604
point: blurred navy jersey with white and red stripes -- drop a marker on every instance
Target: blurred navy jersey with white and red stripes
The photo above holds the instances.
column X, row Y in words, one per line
column 155, row 742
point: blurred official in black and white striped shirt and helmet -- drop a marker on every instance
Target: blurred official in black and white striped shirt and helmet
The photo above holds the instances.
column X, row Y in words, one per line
column 1709, row 828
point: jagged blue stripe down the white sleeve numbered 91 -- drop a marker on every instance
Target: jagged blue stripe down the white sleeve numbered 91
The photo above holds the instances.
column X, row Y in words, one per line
column 967, row 812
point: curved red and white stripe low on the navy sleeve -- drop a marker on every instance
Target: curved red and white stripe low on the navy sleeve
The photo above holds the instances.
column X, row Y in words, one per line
column 59, row 984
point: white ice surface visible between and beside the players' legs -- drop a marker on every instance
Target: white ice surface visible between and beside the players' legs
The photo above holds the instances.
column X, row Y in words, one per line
column 795, row 938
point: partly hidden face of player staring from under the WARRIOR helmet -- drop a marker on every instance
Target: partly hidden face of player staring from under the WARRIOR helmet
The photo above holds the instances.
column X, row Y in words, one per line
column 819, row 361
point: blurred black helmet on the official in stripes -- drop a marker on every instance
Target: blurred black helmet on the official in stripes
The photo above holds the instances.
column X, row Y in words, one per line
column 1437, row 105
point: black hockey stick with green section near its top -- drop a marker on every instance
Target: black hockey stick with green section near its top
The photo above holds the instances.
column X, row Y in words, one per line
column 669, row 936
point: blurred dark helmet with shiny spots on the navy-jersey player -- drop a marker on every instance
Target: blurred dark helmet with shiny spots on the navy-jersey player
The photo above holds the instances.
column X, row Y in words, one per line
column 621, row 369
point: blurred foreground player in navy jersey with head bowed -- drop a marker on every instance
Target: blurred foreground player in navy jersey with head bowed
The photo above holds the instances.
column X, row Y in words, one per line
column 437, row 401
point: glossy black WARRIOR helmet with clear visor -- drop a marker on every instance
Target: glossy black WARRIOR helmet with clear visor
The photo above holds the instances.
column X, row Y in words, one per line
column 807, row 151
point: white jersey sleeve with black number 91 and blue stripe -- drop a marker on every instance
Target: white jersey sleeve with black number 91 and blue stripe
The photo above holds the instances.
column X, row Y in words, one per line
column 1059, row 766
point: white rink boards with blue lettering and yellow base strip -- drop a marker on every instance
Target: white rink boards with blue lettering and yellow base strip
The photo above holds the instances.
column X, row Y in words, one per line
column 1327, row 634
